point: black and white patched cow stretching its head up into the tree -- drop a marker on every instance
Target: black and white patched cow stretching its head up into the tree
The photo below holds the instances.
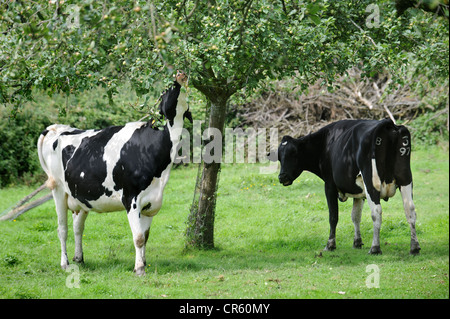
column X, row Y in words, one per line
column 116, row 168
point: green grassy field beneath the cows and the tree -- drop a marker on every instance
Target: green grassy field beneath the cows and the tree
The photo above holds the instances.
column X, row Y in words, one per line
column 269, row 242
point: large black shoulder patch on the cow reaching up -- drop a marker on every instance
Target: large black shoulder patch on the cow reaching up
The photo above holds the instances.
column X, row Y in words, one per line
column 145, row 156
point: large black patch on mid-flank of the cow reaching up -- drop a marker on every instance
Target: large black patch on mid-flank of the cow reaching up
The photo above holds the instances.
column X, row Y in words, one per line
column 88, row 159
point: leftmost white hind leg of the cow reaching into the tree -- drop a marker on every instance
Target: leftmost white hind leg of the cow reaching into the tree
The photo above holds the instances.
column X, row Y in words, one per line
column 60, row 198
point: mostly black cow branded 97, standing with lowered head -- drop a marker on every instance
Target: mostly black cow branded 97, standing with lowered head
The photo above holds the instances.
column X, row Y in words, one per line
column 355, row 158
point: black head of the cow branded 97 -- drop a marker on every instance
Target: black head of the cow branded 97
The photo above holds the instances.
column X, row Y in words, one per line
column 290, row 160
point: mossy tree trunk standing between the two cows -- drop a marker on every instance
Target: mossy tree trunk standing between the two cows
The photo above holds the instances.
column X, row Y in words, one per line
column 200, row 229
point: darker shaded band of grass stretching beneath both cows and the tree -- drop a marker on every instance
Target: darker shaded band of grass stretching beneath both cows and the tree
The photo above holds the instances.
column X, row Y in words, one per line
column 260, row 254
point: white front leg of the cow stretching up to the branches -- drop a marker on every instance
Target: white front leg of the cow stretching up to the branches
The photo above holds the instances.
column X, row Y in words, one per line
column 140, row 227
